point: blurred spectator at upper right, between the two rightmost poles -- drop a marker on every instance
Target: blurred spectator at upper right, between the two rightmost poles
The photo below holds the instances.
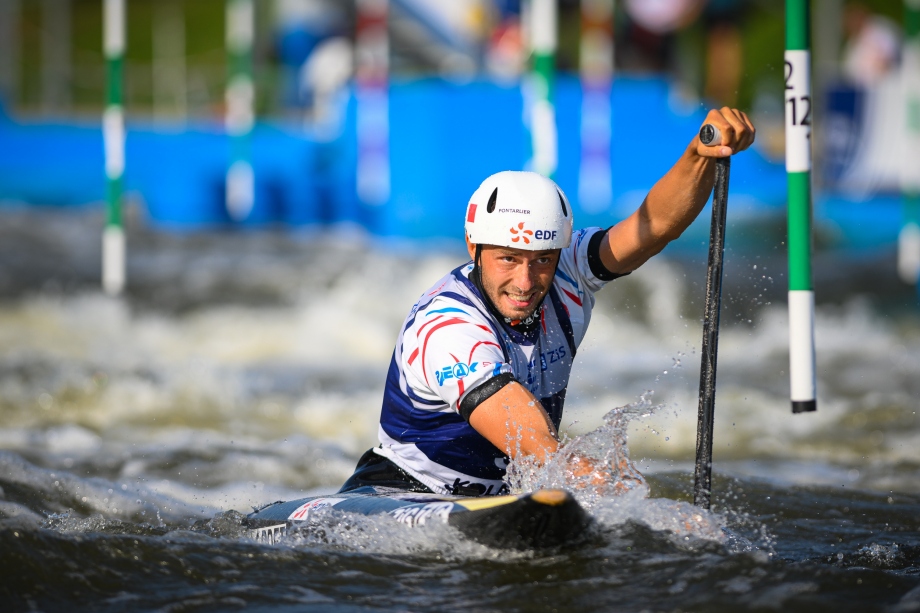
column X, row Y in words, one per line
column 872, row 46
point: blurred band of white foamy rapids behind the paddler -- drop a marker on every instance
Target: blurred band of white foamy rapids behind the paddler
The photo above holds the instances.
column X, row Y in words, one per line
column 232, row 404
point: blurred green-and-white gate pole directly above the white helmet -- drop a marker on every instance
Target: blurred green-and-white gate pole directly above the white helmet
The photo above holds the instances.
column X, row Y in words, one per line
column 543, row 26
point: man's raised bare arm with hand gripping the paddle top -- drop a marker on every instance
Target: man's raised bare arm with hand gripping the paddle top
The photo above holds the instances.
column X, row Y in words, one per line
column 677, row 198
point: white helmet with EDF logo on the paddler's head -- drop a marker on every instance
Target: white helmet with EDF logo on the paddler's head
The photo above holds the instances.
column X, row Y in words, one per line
column 524, row 210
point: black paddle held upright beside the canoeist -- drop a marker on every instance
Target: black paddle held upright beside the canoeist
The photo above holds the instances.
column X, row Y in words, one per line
column 702, row 487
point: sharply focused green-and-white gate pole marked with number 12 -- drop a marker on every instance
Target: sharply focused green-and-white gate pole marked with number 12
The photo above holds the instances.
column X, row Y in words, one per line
column 798, row 170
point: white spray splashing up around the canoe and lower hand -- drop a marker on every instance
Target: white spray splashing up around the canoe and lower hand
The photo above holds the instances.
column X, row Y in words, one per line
column 621, row 499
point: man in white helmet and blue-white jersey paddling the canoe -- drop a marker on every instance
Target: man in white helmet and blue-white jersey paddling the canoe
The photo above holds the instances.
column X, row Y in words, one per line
column 480, row 369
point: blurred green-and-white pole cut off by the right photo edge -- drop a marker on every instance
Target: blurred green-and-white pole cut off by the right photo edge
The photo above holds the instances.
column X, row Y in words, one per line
column 909, row 237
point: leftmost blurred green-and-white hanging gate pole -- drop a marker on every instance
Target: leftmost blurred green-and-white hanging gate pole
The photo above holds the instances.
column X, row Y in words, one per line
column 113, row 135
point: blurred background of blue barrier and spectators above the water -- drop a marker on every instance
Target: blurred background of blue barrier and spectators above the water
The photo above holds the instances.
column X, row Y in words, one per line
column 457, row 86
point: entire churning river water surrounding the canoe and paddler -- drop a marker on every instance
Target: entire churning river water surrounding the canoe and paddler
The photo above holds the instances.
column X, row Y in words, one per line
column 248, row 368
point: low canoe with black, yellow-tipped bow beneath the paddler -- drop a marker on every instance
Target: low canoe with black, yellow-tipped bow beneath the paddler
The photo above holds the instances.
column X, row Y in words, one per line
column 542, row 519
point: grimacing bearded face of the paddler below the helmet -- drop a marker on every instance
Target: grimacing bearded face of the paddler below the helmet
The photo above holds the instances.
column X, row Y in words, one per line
column 516, row 280
